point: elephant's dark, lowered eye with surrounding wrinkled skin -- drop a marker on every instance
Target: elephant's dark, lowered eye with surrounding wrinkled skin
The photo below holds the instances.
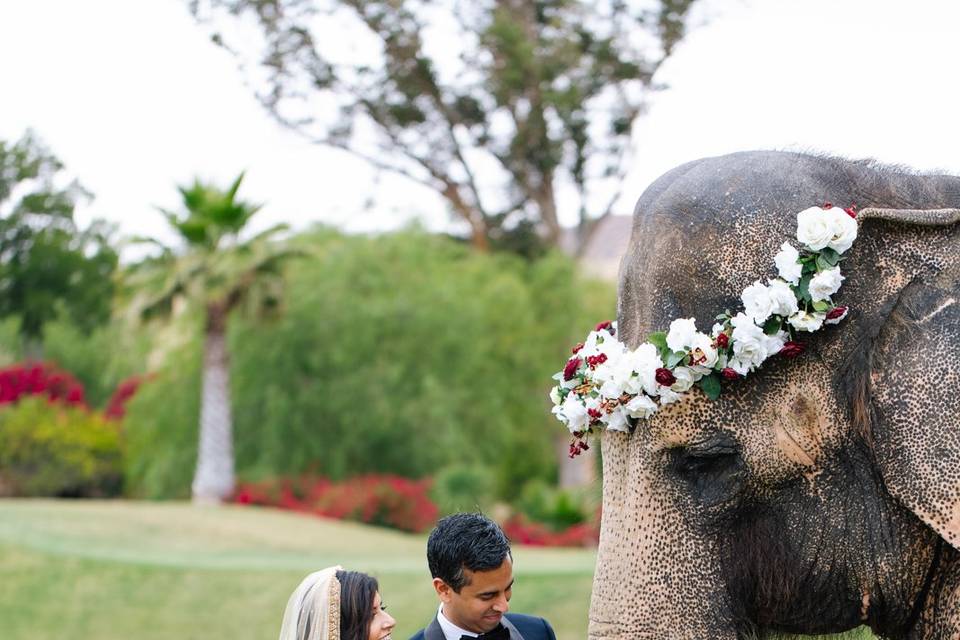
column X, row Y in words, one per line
column 713, row 470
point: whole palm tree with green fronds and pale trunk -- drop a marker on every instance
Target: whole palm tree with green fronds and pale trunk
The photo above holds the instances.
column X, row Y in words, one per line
column 220, row 273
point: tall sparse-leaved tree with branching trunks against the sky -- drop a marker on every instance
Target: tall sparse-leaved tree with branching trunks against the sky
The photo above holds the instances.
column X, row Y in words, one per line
column 517, row 112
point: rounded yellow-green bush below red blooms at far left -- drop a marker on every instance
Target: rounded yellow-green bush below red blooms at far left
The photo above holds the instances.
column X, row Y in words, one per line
column 48, row 449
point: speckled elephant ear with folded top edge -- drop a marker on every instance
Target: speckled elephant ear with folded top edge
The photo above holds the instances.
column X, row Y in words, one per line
column 914, row 362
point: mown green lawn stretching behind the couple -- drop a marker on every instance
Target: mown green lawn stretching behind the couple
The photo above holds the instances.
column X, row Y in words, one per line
column 164, row 571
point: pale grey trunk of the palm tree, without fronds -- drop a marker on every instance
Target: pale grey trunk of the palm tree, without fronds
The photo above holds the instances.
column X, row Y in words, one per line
column 214, row 479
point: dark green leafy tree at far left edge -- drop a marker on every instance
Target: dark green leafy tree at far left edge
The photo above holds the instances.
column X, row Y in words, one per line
column 48, row 265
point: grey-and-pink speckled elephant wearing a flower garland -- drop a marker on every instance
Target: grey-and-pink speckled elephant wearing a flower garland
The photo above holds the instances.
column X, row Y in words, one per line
column 820, row 493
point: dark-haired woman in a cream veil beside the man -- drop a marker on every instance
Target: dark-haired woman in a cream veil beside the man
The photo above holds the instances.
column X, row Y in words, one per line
column 333, row 604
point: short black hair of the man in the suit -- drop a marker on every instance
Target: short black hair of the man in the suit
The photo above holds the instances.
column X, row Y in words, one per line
column 465, row 541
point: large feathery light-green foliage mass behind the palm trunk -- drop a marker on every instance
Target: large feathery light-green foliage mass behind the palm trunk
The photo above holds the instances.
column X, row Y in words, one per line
column 405, row 353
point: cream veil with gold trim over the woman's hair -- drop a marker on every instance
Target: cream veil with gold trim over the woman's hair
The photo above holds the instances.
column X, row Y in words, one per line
column 313, row 611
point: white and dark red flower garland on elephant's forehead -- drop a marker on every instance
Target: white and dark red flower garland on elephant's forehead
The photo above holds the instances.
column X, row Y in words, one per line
column 607, row 386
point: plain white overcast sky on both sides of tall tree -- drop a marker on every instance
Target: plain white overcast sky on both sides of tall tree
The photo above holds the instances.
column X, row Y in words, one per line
column 134, row 99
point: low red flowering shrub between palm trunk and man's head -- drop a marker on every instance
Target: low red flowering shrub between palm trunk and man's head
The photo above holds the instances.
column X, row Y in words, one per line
column 389, row 501
